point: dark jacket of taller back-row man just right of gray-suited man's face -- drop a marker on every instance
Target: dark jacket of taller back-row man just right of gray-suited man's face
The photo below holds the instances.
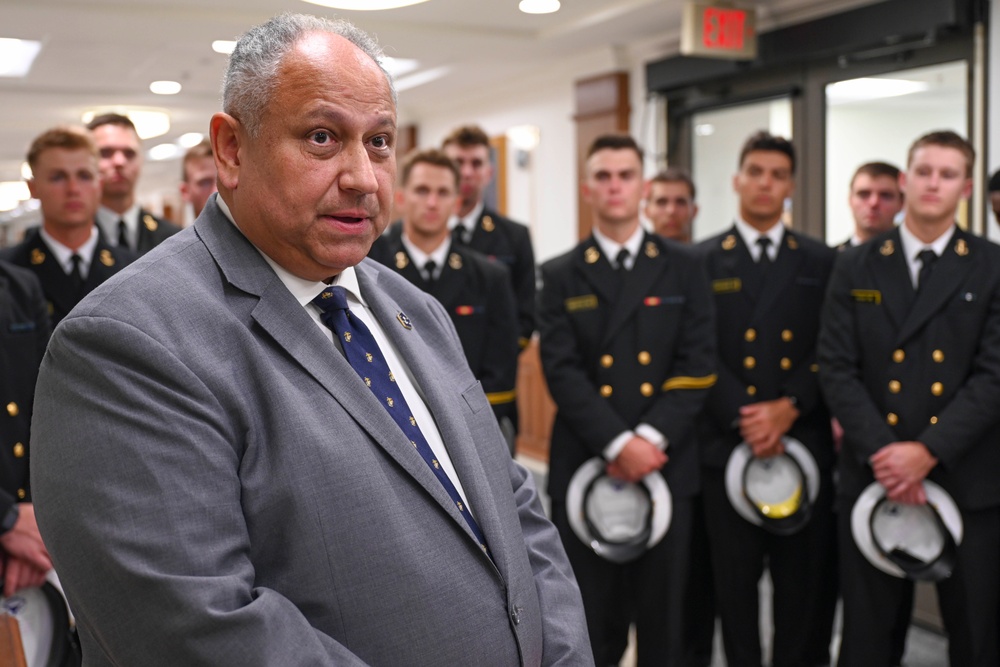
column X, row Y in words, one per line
column 508, row 242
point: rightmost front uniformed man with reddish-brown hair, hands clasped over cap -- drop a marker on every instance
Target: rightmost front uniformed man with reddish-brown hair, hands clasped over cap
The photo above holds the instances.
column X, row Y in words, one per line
column 910, row 363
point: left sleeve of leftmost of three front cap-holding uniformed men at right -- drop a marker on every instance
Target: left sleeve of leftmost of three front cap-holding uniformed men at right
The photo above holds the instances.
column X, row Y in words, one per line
column 579, row 402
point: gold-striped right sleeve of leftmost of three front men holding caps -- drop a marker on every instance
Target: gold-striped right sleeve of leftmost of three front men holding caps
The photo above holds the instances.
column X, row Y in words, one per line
column 684, row 392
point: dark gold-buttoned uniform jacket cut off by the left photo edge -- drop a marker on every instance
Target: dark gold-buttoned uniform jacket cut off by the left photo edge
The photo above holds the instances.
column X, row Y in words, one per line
column 24, row 333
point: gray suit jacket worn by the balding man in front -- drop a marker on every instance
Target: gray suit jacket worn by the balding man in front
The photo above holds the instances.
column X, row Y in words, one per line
column 218, row 487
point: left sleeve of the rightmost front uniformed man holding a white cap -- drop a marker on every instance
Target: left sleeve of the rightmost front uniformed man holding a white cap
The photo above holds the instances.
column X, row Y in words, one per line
column 840, row 359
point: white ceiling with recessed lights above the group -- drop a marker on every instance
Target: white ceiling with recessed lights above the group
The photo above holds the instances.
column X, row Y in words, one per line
column 104, row 53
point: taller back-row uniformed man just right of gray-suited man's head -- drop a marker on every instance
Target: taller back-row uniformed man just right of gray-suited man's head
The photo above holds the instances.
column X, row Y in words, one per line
column 486, row 231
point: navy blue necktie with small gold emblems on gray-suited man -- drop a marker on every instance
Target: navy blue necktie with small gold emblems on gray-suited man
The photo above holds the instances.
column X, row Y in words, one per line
column 366, row 358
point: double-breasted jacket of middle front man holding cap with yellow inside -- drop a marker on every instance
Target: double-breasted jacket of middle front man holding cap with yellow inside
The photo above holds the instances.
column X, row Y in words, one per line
column 767, row 326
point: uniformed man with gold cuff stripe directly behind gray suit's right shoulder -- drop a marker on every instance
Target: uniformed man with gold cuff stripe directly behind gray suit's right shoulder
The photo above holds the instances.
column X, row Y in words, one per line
column 475, row 291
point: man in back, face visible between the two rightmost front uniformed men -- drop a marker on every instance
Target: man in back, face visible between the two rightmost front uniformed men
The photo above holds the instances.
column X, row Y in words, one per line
column 875, row 199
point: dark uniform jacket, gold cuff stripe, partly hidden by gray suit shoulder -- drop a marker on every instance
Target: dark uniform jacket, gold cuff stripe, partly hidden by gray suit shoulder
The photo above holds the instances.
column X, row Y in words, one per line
column 477, row 294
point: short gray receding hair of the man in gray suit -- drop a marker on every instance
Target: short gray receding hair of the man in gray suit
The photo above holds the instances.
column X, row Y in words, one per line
column 253, row 67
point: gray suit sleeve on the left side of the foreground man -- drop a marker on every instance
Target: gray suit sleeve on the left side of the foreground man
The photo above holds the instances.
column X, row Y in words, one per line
column 169, row 584
